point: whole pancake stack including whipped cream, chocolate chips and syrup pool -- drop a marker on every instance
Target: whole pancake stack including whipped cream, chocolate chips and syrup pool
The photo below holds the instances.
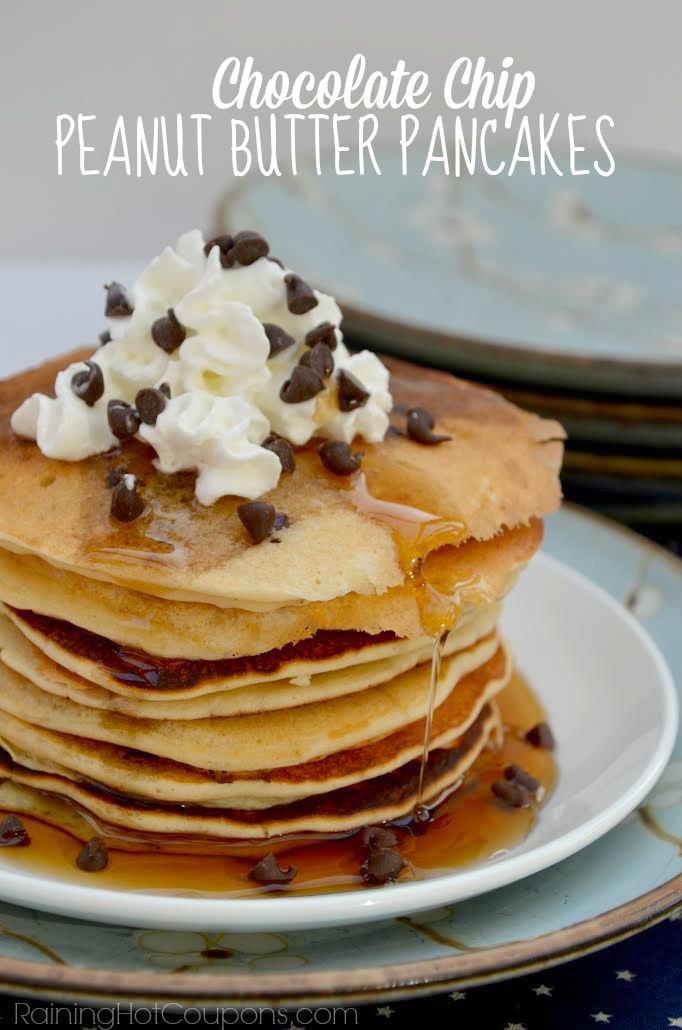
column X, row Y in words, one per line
column 251, row 586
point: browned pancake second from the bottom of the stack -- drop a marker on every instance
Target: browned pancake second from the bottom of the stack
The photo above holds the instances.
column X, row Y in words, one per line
column 145, row 776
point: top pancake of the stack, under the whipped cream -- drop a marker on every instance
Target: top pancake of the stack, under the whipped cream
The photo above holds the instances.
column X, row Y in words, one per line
column 500, row 470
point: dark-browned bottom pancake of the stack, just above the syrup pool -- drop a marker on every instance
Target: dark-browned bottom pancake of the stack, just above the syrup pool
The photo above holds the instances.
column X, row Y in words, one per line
column 387, row 798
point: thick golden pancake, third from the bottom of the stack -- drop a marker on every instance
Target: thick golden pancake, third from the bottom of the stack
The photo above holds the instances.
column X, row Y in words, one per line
column 249, row 743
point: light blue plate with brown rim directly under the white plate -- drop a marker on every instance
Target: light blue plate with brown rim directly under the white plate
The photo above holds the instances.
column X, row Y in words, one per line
column 625, row 882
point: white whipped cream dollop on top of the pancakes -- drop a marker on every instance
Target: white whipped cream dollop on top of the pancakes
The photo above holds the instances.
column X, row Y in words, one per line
column 225, row 388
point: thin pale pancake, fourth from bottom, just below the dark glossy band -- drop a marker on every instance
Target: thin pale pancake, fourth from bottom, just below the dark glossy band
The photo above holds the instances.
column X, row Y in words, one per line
column 20, row 655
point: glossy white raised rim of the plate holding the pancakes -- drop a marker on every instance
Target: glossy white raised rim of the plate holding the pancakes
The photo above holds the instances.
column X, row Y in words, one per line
column 158, row 911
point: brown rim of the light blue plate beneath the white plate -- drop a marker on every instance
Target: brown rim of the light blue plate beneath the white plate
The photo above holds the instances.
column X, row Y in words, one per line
column 432, row 976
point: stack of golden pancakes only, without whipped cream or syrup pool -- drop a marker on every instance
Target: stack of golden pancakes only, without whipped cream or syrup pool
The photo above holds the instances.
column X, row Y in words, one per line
column 172, row 678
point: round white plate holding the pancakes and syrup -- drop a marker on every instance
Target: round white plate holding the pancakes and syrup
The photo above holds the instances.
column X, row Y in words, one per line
column 613, row 710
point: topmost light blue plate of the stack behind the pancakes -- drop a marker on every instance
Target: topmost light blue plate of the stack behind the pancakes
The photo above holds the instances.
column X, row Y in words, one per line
column 572, row 281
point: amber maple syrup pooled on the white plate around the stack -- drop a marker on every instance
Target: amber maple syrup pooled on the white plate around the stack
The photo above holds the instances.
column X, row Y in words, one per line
column 469, row 827
